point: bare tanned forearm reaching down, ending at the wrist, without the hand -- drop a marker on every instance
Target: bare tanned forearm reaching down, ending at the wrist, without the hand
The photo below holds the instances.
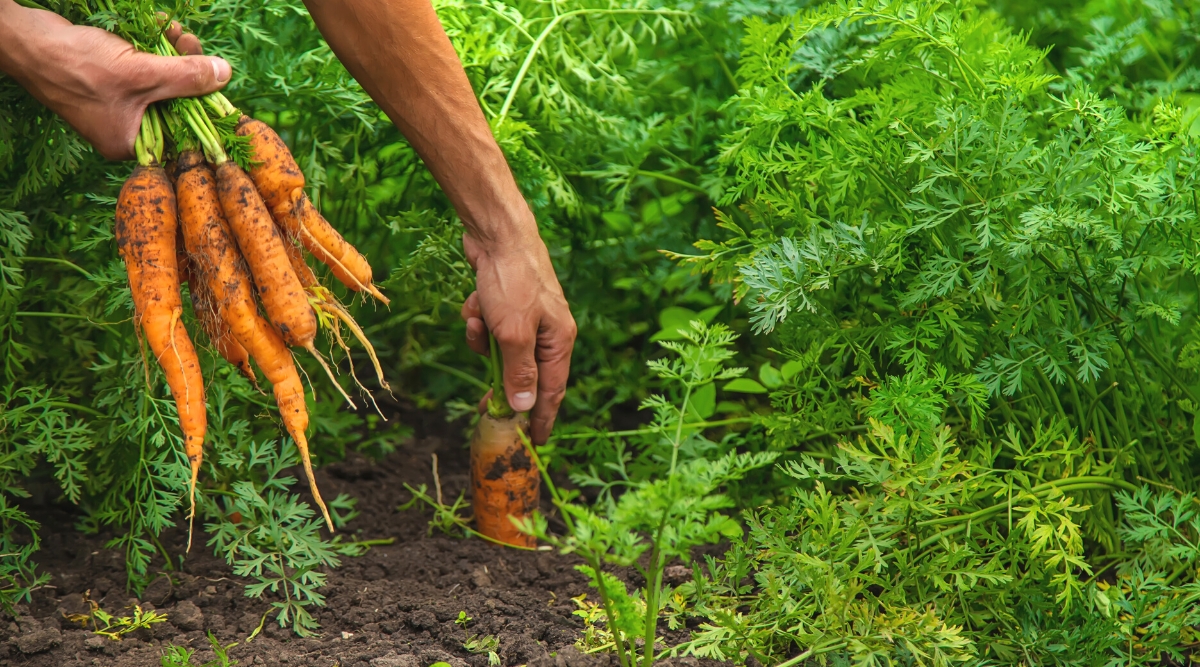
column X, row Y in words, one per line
column 398, row 51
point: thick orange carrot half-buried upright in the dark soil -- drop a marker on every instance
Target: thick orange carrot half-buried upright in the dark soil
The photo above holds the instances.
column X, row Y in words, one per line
column 505, row 480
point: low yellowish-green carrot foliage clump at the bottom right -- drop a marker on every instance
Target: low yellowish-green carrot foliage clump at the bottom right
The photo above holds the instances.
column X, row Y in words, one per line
column 933, row 552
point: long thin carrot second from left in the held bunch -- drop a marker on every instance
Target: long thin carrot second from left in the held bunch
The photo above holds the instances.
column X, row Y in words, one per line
column 212, row 243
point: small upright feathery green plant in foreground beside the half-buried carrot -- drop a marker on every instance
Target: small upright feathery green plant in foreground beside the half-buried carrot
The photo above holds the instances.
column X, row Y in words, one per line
column 659, row 519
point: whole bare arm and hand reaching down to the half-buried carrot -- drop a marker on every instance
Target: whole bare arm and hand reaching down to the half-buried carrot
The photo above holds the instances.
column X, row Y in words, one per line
column 399, row 53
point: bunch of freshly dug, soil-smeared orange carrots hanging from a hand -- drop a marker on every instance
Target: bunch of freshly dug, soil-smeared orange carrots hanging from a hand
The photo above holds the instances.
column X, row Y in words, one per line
column 239, row 237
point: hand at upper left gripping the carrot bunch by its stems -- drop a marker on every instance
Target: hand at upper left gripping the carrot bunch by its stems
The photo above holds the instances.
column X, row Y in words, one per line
column 98, row 82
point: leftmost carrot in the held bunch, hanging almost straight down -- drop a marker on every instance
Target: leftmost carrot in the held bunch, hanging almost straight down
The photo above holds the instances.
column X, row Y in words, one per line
column 146, row 235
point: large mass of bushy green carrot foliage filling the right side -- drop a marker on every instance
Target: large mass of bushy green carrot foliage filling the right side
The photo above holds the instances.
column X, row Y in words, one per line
column 991, row 266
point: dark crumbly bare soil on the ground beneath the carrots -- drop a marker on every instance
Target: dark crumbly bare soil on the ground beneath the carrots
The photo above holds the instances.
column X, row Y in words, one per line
column 393, row 608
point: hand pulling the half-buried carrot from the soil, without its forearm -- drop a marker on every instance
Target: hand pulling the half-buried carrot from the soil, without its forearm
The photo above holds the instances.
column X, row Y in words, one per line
column 520, row 303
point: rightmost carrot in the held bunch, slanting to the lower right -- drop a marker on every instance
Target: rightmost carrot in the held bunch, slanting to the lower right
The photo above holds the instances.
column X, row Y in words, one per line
column 281, row 184
